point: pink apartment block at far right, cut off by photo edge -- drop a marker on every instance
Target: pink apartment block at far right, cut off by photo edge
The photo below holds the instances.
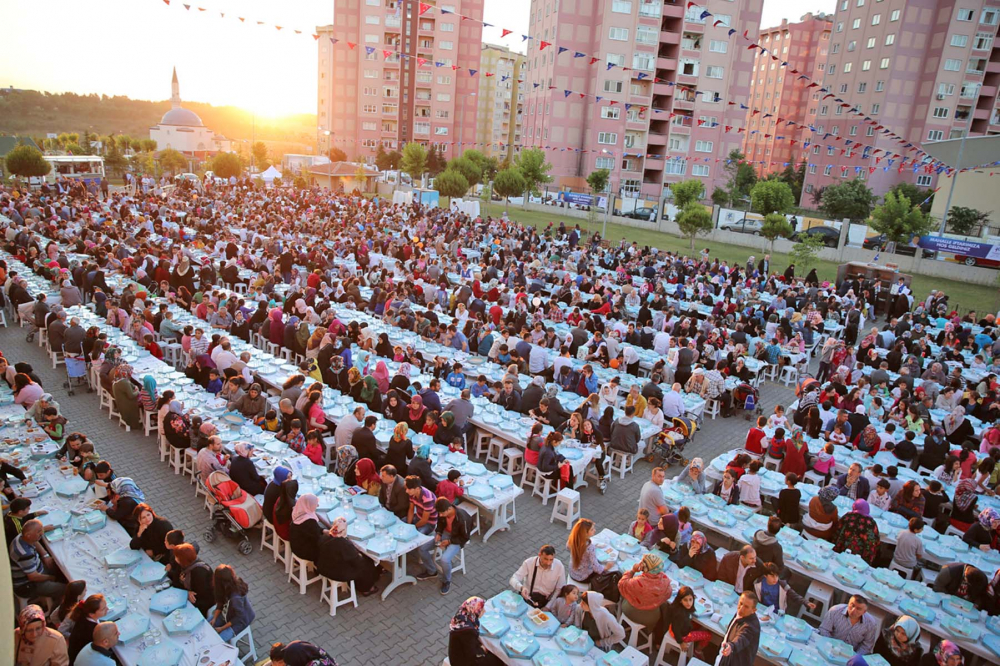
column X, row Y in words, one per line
column 925, row 70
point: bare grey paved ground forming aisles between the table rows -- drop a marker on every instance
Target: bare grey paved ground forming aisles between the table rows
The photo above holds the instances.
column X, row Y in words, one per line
column 410, row 627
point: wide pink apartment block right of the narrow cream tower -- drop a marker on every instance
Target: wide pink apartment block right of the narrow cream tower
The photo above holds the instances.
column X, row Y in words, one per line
column 678, row 130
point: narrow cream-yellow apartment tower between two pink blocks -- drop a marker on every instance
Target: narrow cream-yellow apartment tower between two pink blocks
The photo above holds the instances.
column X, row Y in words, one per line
column 500, row 101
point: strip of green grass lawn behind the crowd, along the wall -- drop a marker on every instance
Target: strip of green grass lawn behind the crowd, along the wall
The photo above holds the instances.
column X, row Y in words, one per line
column 962, row 295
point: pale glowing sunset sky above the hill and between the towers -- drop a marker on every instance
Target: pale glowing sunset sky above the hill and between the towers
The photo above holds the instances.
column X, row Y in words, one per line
column 129, row 47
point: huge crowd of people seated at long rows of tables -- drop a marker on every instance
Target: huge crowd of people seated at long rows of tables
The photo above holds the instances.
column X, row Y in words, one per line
column 282, row 267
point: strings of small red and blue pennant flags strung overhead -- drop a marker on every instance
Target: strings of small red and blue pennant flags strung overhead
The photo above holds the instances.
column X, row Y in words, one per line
column 921, row 161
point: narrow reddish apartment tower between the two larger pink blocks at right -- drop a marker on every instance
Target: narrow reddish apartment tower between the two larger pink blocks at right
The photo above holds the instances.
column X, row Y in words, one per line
column 804, row 45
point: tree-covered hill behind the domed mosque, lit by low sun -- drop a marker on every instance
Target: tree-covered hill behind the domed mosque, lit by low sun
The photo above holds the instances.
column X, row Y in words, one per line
column 34, row 113
